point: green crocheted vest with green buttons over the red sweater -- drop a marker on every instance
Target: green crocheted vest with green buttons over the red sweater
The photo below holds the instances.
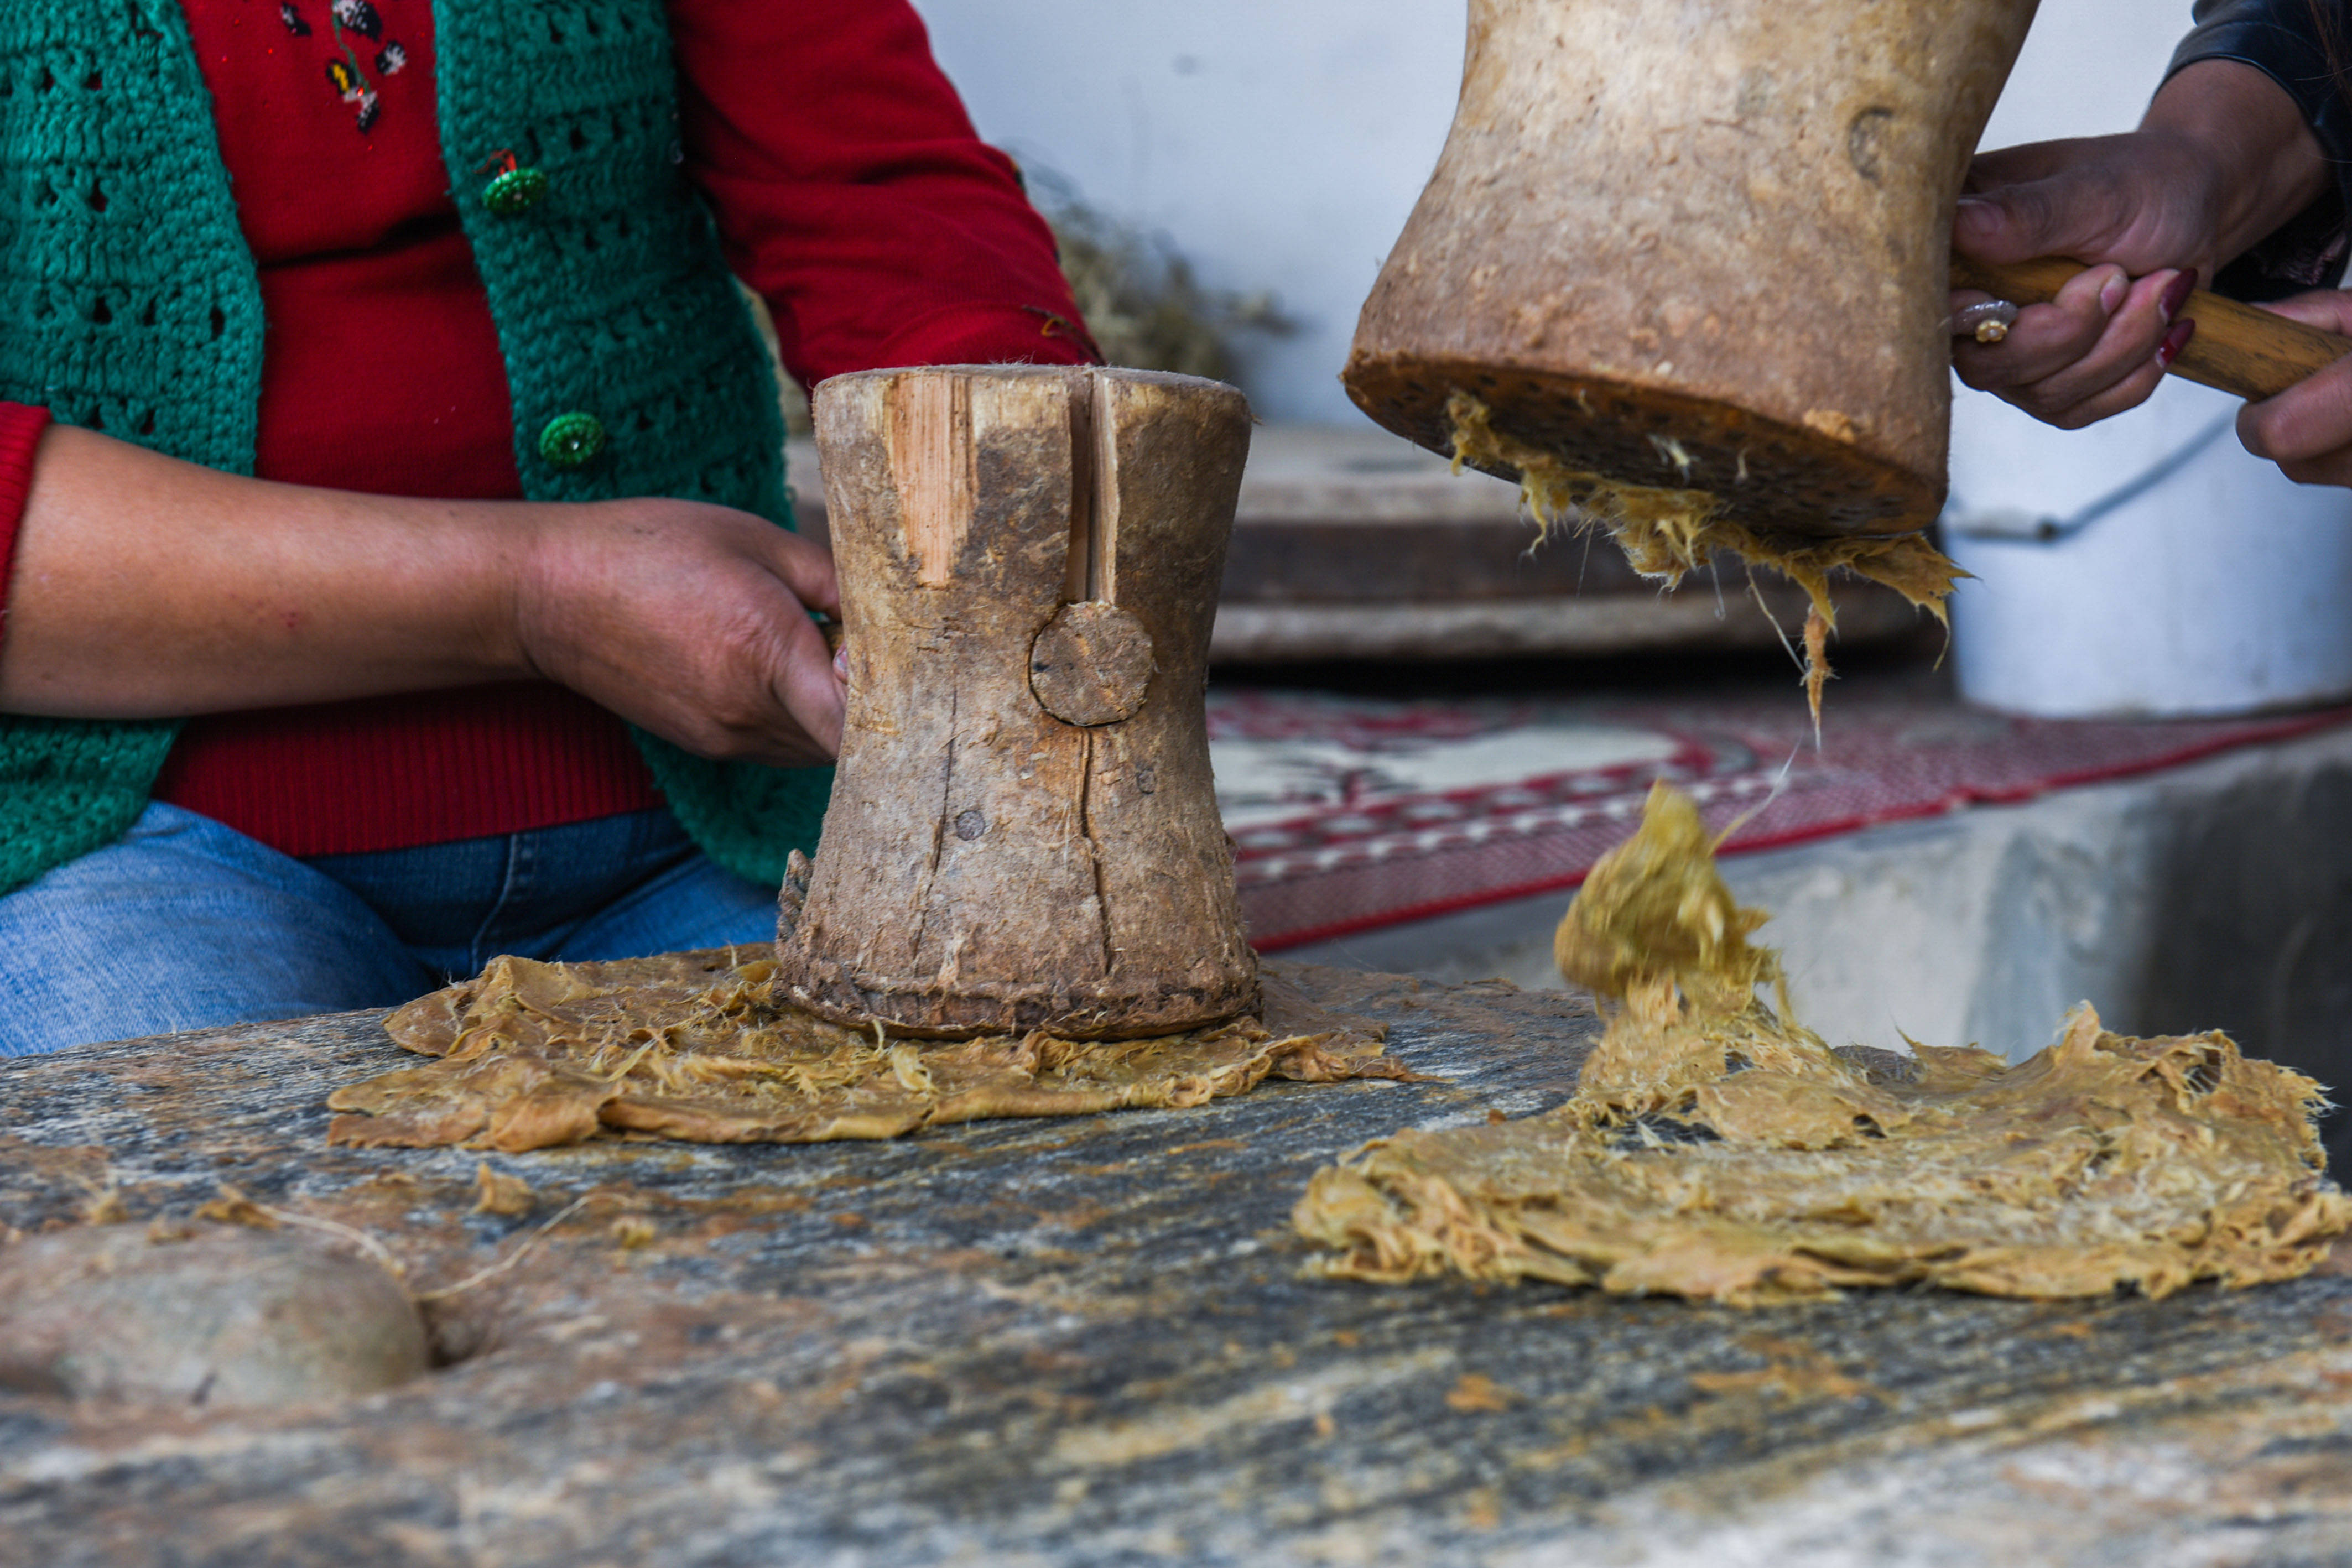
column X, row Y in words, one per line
column 131, row 304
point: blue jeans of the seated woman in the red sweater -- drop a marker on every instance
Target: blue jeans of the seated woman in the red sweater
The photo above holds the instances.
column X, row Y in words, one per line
column 187, row 925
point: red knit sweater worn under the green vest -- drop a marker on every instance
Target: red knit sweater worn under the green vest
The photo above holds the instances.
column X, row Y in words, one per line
column 850, row 192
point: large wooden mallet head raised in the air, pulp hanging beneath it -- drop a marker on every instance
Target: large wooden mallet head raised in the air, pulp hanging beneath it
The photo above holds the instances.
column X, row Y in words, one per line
column 1699, row 248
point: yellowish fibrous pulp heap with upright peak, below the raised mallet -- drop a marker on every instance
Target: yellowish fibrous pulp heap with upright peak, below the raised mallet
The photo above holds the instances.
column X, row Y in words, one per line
column 1720, row 1151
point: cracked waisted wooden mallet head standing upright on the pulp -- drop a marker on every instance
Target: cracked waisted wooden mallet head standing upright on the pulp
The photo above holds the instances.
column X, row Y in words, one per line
column 1022, row 829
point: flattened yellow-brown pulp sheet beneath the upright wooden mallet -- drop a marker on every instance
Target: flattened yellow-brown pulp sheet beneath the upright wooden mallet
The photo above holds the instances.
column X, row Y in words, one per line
column 697, row 1047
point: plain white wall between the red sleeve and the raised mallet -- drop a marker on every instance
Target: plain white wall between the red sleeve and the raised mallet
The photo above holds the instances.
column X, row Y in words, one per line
column 1278, row 142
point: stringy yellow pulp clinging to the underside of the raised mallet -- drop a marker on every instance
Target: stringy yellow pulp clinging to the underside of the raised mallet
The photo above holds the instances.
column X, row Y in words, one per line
column 1673, row 532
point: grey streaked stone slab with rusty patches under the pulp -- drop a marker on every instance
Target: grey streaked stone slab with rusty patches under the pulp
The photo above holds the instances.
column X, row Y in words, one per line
column 1090, row 1343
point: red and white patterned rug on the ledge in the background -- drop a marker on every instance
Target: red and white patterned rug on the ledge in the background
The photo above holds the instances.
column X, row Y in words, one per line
column 1354, row 815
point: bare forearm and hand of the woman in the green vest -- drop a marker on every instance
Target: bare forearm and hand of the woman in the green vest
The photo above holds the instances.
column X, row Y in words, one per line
column 149, row 589
